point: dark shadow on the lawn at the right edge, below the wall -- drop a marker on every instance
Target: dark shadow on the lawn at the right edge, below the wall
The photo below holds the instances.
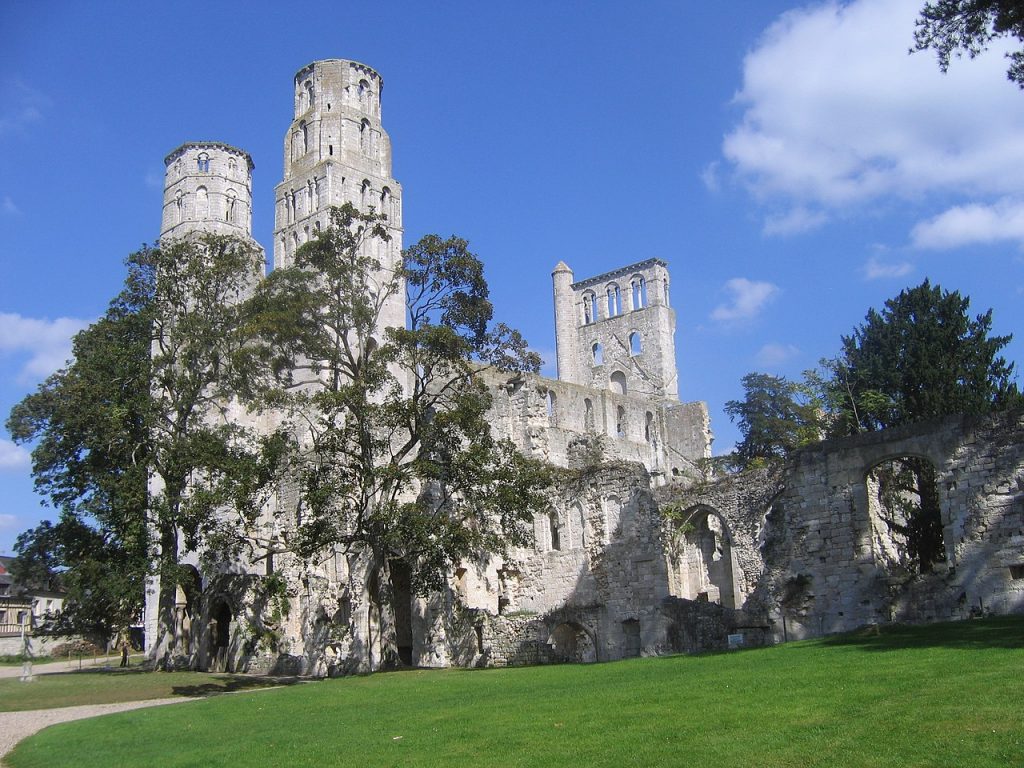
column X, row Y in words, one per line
column 977, row 634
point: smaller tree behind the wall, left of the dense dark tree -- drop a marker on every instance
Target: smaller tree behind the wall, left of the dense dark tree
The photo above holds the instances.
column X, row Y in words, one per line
column 776, row 417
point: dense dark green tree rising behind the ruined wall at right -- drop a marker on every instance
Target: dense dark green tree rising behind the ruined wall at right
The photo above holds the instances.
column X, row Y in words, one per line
column 921, row 358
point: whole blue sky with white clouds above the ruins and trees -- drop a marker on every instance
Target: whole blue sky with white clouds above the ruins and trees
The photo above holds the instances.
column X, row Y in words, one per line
column 791, row 162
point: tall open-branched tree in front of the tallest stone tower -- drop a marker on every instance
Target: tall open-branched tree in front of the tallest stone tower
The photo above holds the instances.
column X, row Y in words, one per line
column 393, row 453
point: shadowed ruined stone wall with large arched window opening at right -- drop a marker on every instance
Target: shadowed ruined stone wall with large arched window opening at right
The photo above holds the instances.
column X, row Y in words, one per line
column 825, row 553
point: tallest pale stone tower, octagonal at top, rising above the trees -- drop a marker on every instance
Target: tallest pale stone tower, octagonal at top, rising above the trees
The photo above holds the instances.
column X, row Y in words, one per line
column 336, row 152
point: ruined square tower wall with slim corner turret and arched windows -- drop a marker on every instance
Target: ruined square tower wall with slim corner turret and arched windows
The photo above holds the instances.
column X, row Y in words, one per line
column 617, row 331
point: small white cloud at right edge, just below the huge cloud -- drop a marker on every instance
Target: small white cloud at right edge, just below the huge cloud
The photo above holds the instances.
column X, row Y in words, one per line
column 973, row 224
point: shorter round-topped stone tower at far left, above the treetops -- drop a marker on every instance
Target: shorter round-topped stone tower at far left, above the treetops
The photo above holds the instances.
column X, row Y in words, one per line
column 208, row 189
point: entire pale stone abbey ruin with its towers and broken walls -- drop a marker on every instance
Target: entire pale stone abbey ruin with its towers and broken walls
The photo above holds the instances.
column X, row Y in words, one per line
column 638, row 553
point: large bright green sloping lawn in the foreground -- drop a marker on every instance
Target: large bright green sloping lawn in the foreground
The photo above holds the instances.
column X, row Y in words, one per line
column 942, row 696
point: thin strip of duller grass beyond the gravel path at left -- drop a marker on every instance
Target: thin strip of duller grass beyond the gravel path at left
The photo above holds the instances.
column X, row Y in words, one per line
column 99, row 686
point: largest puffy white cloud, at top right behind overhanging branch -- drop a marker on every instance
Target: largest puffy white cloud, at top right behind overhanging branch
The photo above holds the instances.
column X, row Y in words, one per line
column 837, row 114
